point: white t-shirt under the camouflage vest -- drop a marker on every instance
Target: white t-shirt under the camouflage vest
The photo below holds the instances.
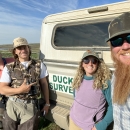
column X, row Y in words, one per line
column 6, row 76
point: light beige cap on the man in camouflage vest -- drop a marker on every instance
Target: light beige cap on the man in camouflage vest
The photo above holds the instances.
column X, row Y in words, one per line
column 19, row 41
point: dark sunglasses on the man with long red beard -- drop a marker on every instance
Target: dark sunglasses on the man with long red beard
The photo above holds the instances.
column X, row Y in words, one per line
column 118, row 41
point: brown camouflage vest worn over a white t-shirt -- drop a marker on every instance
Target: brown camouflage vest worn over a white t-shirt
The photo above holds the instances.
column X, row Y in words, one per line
column 32, row 74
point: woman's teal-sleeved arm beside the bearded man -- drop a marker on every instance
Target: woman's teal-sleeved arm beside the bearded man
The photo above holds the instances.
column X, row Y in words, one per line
column 108, row 118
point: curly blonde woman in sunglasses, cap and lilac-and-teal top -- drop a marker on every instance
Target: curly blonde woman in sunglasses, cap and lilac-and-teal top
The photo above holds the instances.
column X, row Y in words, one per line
column 92, row 106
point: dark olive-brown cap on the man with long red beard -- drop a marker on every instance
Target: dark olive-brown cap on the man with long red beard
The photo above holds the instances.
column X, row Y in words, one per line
column 119, row 26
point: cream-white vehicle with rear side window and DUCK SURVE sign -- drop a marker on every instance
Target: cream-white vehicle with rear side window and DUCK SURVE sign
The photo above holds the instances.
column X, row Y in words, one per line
column 64, row 38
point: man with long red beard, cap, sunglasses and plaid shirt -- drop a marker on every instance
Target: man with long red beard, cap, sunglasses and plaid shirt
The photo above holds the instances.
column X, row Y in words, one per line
column 119, row 40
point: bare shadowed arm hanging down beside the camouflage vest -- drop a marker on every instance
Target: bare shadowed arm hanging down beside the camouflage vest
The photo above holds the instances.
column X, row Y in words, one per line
column 45, row 91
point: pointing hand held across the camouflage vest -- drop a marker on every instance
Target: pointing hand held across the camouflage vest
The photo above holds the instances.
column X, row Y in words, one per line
column 25, row 88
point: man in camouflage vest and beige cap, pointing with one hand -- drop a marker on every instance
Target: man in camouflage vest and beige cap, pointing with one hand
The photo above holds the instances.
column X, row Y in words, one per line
column 22, row 81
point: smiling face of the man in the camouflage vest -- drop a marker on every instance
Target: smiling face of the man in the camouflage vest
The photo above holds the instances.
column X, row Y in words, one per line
column 22, row 52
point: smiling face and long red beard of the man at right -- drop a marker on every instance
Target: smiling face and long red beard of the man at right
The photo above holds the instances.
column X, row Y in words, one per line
column 121, row 57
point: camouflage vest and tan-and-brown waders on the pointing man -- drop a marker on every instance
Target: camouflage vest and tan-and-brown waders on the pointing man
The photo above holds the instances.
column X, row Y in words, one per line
column 22, row 112
